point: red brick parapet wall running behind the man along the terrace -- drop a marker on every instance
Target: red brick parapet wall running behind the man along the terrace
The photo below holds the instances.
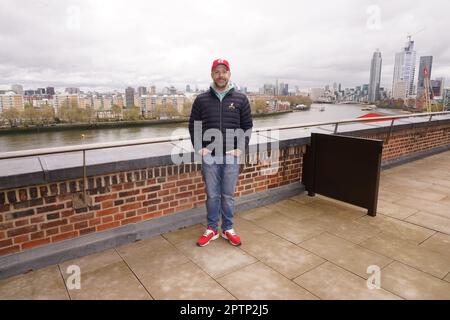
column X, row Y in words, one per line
column 42, row 214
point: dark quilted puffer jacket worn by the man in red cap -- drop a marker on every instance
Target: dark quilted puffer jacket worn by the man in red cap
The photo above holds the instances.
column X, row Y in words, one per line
column 233, row 112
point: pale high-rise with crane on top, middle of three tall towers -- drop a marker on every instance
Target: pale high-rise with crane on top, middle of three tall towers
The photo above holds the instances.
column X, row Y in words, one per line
column 404, row 69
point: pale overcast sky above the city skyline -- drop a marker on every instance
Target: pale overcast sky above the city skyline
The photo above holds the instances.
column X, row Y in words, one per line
column 111, row 44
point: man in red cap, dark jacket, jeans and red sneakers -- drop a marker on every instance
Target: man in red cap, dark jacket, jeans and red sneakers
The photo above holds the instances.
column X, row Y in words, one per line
column 225, row 115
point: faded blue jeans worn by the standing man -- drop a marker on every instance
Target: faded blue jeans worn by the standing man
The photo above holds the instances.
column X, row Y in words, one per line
column 220, row 176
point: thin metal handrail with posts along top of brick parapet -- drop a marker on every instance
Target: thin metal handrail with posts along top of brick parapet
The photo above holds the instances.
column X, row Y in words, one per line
column 128, row 143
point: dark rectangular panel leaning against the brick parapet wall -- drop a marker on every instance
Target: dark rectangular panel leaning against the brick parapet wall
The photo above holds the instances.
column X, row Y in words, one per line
column 344, row 168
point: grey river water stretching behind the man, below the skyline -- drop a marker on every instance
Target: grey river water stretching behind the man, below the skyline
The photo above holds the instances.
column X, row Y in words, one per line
column 24, row 141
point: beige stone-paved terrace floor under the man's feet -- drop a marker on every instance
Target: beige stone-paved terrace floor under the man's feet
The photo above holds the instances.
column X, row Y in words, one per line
column 300, row 248
